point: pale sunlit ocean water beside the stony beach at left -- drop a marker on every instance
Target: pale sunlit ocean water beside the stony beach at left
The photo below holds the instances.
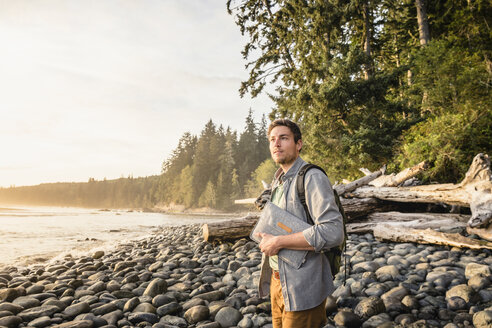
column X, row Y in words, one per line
column 30, row 235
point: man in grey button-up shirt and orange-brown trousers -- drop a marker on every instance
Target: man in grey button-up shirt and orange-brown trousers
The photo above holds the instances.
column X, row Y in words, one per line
column 298, row 295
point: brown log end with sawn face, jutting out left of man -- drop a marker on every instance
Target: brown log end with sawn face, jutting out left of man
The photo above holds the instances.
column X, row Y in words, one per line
column 229, row 229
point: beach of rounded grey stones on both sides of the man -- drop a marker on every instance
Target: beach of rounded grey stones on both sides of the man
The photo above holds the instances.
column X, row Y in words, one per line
column 175, row 279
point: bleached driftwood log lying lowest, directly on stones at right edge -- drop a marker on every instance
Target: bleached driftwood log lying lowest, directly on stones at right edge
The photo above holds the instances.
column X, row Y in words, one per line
column 428, row 236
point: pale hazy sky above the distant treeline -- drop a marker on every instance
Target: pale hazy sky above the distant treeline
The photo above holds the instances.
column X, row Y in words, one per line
column 105, row 88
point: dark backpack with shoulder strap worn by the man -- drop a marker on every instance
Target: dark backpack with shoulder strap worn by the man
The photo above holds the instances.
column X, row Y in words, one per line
column 334, row 255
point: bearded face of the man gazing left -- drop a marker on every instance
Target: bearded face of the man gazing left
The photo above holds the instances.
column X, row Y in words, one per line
column 283, row 148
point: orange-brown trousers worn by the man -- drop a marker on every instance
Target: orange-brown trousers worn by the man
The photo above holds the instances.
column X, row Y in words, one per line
column 311, row 318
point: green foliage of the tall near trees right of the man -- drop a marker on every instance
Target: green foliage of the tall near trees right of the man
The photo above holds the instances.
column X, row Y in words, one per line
column 354, row 75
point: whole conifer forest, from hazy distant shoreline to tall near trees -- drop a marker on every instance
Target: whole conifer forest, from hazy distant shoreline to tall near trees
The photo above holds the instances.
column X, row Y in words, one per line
column 391, row 82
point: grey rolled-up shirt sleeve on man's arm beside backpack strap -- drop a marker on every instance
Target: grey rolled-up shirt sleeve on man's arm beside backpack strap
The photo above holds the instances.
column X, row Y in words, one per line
column 327, row 231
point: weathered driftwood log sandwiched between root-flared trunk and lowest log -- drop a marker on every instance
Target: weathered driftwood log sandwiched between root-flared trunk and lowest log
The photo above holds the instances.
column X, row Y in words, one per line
column 442, row 221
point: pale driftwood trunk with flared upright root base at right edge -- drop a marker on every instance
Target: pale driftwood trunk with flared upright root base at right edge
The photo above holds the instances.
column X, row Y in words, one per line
column 475, row 191
